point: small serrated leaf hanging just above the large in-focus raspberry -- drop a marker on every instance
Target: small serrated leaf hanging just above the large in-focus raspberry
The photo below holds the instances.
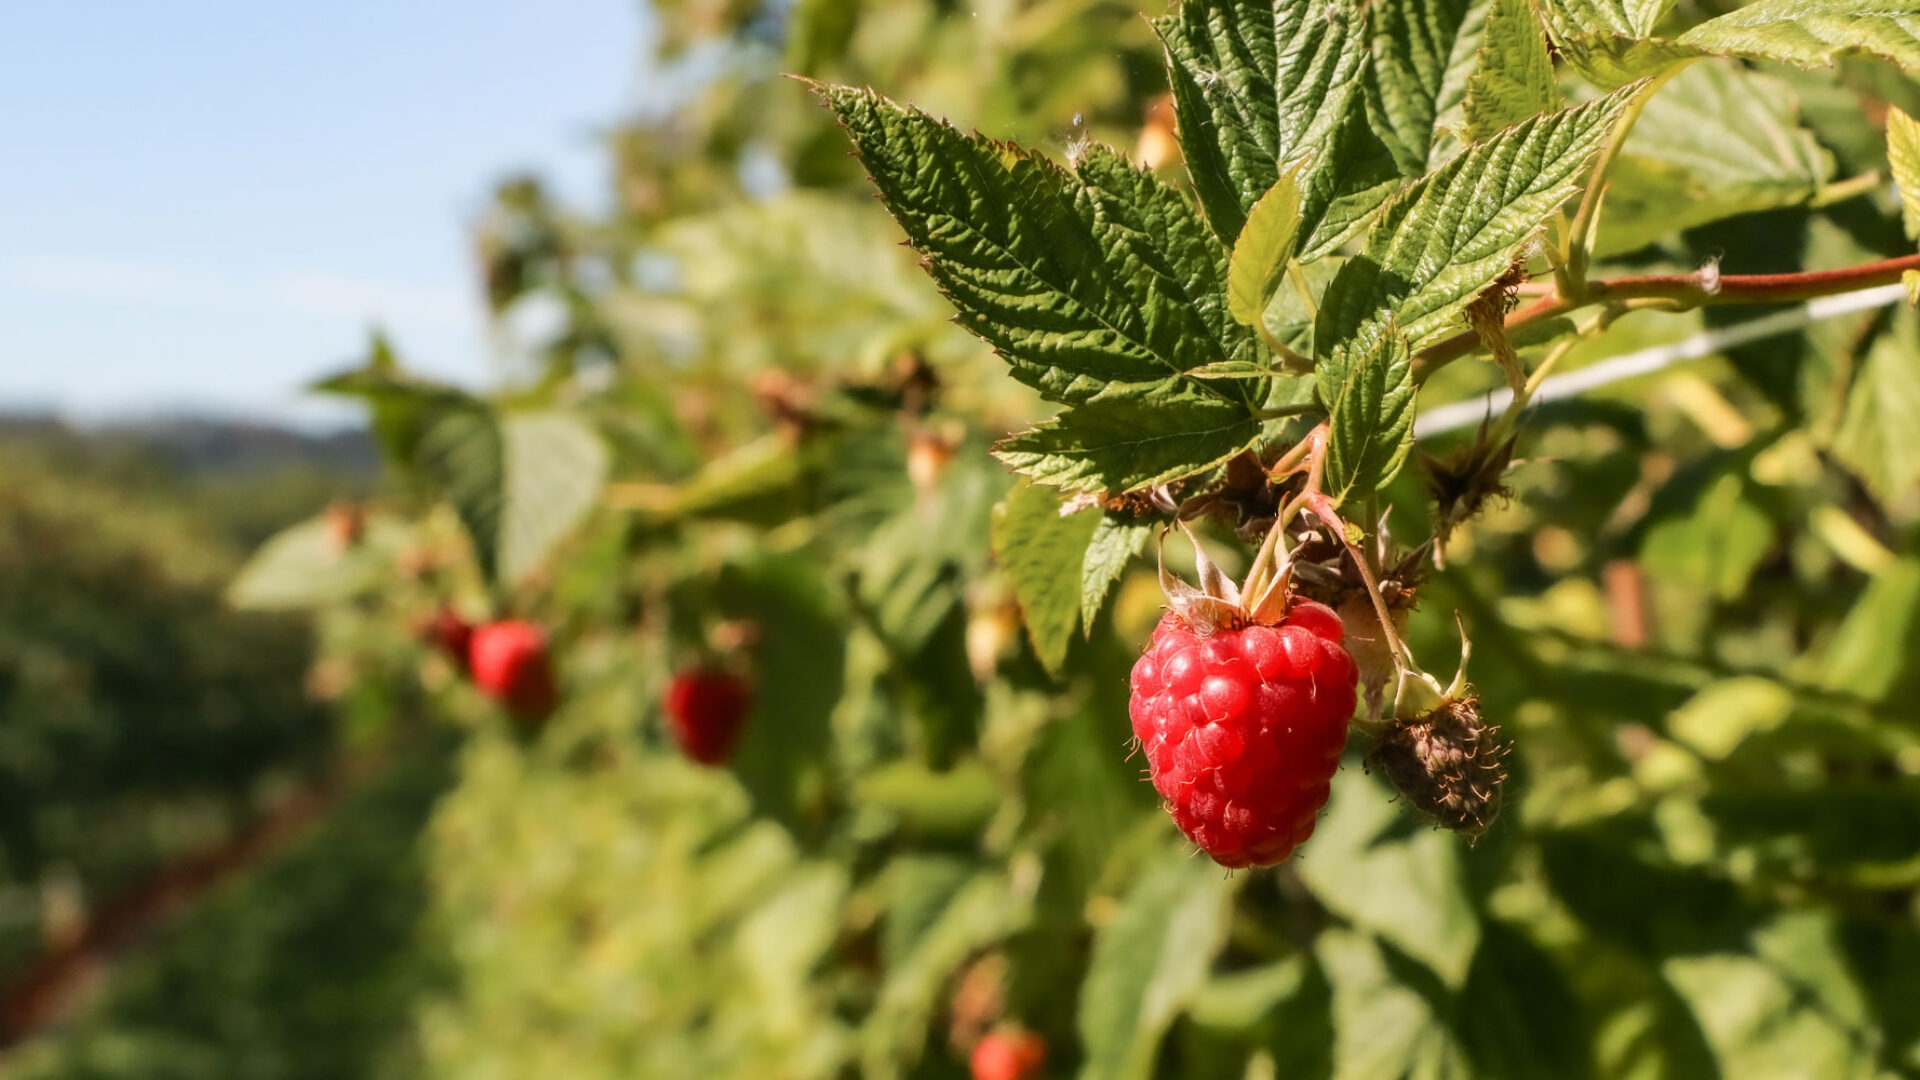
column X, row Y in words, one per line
column 1370, row 424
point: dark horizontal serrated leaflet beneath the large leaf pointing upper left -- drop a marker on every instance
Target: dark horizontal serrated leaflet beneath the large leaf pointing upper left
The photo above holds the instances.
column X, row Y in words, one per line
column 1132, row 437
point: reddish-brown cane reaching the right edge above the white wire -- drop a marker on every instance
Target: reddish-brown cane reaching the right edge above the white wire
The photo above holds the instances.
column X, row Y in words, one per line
column 1679, row 291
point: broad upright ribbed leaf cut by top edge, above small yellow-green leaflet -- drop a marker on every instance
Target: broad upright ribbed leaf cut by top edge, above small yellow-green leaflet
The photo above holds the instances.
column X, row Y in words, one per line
column 1262, row 87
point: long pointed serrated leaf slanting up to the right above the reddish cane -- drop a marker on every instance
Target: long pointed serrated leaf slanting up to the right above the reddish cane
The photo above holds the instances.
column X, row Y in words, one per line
column 1451, row 235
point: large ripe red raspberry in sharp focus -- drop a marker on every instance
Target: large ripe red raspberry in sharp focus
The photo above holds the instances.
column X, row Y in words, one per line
column 1243, row 729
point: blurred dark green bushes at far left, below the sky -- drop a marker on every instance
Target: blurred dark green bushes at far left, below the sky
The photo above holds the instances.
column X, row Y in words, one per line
column 143, row 720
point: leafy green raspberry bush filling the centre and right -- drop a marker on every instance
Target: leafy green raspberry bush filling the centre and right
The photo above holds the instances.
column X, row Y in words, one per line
column 1566, row 324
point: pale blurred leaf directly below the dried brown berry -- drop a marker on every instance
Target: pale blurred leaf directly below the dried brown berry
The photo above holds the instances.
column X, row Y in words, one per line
column 1408, row 887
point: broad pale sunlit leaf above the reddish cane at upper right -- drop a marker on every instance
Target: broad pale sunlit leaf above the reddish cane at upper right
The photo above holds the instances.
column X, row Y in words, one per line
column 1717, row 141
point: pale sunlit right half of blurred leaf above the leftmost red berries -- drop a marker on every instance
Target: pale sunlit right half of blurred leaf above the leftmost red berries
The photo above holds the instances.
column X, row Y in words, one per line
column 554, row 472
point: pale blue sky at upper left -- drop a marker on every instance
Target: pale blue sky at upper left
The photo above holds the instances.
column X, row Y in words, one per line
column 206, row 203
